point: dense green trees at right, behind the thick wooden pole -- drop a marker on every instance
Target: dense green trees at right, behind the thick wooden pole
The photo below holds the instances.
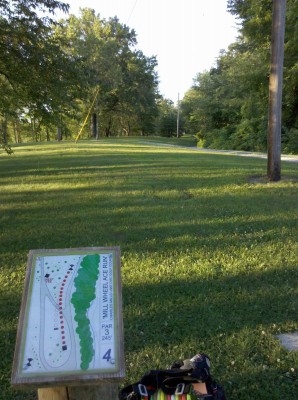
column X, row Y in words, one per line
column 227, row 107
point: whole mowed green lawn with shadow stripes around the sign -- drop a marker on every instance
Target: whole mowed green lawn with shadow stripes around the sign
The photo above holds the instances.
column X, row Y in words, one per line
column 209, row 260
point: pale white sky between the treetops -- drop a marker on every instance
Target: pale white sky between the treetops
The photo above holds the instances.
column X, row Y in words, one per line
column 186, row 36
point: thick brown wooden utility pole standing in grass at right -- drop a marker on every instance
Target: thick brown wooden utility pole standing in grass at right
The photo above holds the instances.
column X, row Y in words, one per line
column 275, row 90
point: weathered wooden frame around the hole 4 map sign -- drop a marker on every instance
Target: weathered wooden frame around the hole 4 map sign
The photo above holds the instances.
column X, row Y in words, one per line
column 73, row 378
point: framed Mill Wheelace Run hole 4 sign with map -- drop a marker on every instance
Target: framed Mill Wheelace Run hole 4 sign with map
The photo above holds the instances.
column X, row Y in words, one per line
column 70, row 327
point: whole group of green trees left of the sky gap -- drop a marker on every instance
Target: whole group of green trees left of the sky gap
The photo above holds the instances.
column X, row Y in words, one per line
column 50, row 72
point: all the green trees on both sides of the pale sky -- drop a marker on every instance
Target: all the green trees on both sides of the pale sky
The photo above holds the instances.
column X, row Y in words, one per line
column 52, row 72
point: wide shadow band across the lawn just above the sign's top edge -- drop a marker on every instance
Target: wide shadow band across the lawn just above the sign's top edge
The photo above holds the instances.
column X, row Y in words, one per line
column 145, row 220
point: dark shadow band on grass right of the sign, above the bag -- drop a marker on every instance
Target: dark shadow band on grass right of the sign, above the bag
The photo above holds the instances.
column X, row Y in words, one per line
column 172, row 311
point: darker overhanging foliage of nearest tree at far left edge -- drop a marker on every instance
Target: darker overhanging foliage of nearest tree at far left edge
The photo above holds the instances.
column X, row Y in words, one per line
column 37, row 78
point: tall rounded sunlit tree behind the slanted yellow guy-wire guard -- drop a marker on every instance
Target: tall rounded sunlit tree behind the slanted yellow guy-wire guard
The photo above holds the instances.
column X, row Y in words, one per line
column 125, row 77
